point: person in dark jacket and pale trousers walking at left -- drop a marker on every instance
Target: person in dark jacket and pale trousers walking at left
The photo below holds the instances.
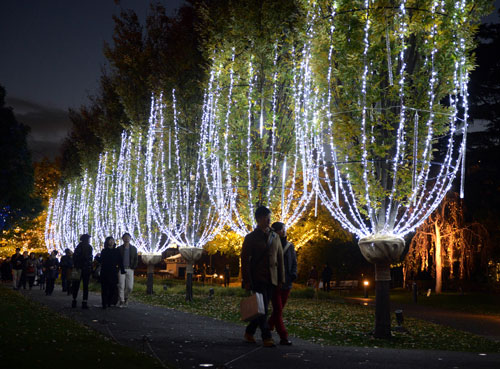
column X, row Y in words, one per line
column 128, row 253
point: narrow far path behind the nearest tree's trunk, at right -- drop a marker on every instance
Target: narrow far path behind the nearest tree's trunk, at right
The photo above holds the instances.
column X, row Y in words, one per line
column 480, row 324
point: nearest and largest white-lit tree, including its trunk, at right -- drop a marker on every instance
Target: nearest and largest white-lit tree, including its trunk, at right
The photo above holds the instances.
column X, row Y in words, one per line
column 389, row 115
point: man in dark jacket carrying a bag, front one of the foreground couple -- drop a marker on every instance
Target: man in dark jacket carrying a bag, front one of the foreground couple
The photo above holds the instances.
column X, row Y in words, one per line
column 262, row 270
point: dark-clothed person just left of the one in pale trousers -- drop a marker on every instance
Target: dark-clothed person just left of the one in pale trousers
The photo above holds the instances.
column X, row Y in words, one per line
column 111, row 263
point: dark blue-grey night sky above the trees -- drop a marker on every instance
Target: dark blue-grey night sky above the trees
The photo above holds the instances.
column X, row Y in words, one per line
column 51, row 59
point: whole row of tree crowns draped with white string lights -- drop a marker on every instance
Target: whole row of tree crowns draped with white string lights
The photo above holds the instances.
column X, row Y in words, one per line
column 360, row 105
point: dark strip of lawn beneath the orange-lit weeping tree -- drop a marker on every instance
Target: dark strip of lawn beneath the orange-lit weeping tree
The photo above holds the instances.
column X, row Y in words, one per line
column 470, row 302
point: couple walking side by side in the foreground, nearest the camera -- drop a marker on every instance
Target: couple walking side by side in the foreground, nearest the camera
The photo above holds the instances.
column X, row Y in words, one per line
column 268, row 266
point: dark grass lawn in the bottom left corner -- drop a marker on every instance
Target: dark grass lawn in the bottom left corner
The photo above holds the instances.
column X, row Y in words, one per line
column 32, row 336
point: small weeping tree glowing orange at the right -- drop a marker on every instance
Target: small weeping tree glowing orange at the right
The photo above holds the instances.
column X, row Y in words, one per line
column 446, row 240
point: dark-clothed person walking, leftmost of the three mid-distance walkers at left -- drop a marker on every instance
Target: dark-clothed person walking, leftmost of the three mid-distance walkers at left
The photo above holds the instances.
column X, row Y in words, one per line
column 82, row 260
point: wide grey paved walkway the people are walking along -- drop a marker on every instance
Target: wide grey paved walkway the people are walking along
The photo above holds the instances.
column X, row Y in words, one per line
column 190, row 341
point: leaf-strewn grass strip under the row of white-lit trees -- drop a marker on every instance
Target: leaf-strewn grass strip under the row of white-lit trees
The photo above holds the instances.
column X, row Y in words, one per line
column 323, row 320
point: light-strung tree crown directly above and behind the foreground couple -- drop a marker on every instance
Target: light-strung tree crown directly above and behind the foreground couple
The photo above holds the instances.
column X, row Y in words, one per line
column 253, row 133
